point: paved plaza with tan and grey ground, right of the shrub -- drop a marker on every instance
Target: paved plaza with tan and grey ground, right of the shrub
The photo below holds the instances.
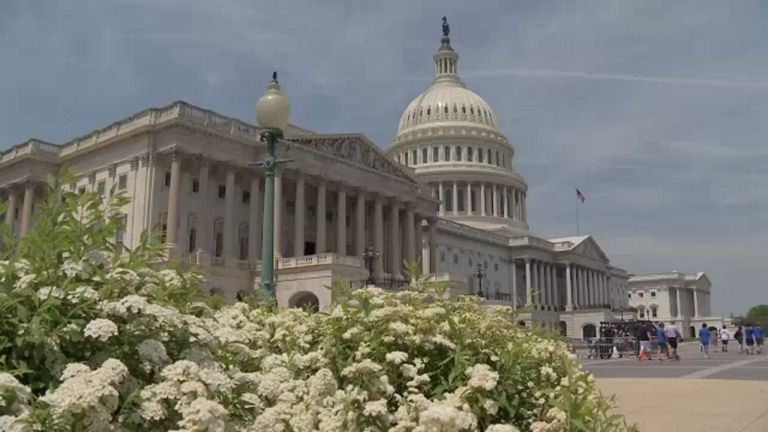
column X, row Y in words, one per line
column 727, row 392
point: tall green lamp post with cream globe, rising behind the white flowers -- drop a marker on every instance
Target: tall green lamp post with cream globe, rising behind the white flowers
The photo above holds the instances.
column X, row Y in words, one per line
column 272, row 111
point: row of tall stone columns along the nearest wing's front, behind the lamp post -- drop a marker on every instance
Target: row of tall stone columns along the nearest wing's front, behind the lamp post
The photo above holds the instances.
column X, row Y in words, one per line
column 401, row 244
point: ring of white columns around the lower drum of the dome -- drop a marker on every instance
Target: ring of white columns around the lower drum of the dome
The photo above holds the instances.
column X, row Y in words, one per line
column 503, row 201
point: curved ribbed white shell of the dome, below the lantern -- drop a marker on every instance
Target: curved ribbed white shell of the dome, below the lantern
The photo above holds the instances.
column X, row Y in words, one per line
column 448, row 101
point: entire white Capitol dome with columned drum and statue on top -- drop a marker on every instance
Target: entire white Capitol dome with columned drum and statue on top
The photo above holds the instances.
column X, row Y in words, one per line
column 451, row 139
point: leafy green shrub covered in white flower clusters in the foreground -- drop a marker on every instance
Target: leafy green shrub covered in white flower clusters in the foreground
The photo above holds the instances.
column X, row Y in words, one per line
column 97, row 339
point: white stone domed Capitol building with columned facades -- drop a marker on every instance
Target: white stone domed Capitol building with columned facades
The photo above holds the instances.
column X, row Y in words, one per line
column 444, row 192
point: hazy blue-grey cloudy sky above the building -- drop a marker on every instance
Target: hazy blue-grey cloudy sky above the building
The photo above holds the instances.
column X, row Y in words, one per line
column 651, row 108
